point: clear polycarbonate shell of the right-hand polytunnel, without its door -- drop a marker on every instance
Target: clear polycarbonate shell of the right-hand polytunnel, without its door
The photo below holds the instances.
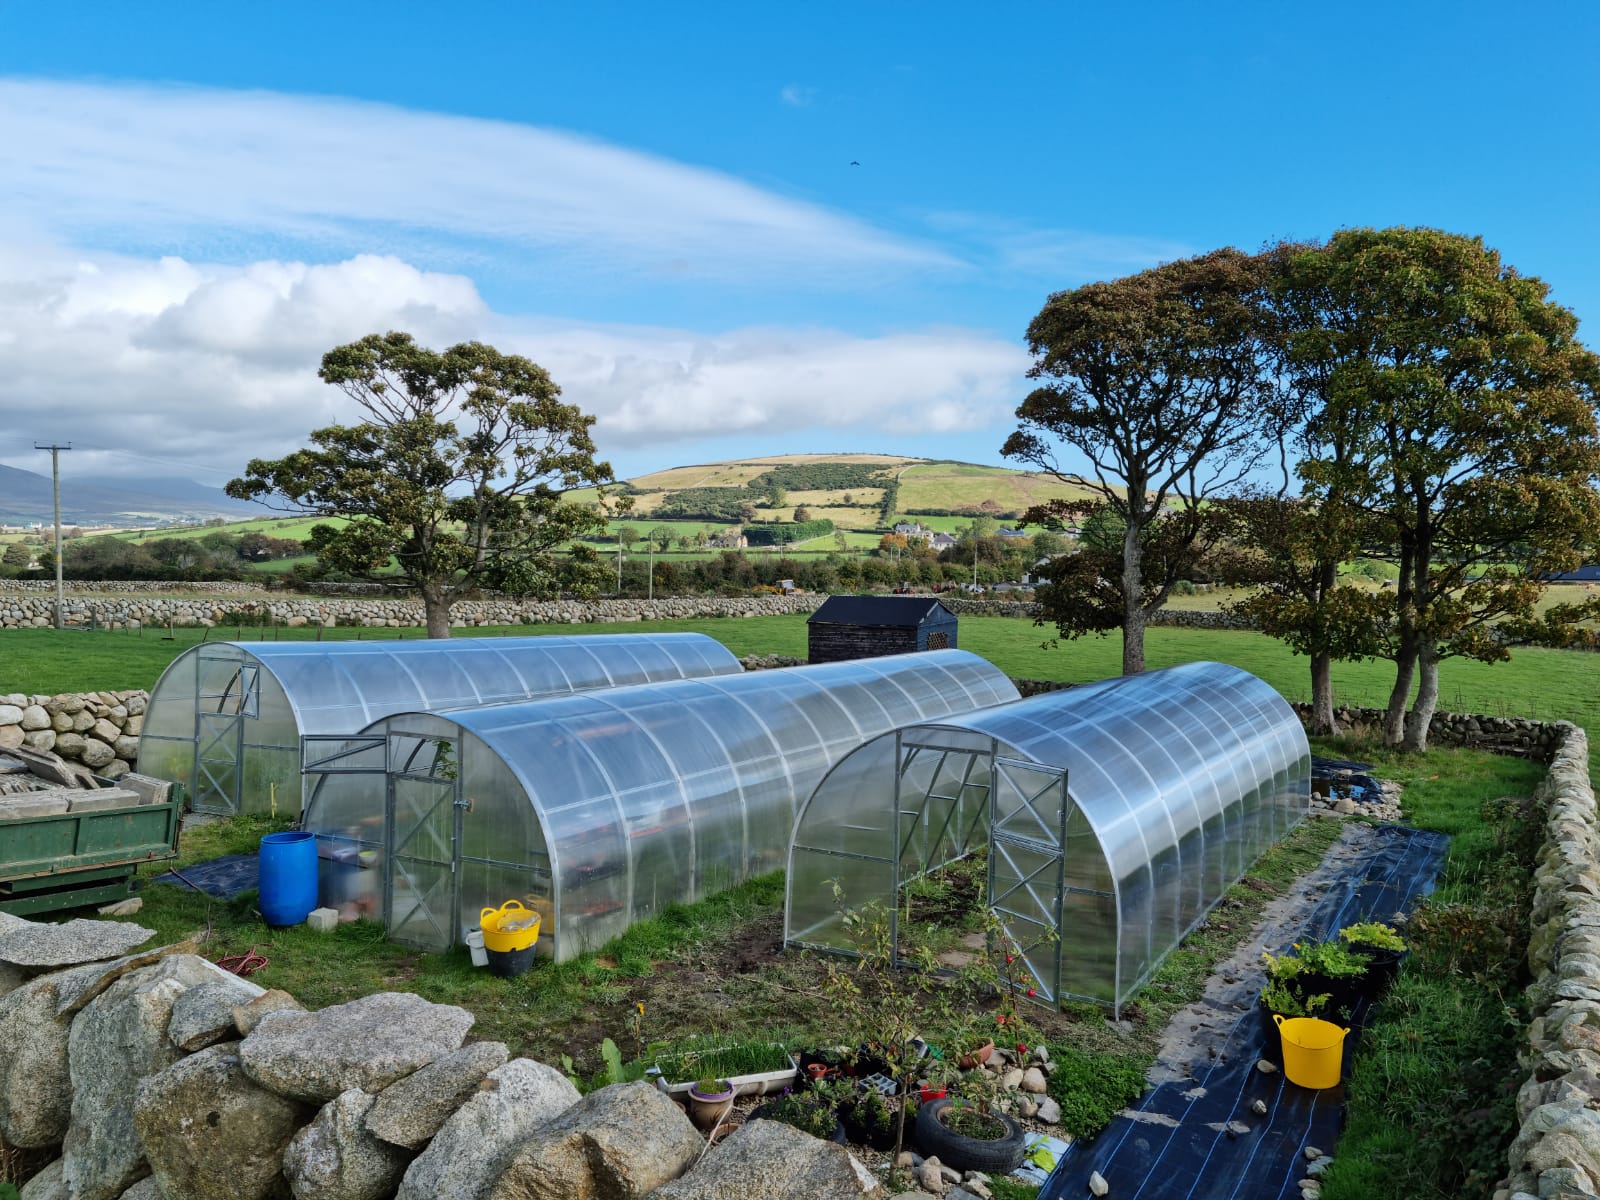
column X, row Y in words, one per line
column 1180, row 780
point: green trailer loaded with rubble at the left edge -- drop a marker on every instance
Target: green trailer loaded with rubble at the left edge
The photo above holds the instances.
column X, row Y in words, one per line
column 71, row 849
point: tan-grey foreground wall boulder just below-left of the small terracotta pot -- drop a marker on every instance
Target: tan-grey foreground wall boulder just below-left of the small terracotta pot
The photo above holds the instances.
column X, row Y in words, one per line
column 618, row 1143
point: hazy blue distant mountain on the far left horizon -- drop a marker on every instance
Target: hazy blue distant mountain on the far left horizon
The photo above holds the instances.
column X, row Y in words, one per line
column 25, row 498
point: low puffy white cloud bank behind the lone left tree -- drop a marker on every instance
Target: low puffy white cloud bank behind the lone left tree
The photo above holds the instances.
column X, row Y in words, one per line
column 204, row 366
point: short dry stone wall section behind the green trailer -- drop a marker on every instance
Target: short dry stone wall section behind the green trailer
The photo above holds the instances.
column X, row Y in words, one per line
column 97, row 729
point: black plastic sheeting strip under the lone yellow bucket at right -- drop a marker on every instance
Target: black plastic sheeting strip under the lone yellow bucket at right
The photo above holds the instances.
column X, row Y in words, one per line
column 1183, row 1148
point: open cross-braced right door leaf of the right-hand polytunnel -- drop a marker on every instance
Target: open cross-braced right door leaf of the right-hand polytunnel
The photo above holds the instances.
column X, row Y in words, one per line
column 1028, row 831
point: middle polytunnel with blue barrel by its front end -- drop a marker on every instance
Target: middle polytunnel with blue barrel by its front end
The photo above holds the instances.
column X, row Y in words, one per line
column 601, row 809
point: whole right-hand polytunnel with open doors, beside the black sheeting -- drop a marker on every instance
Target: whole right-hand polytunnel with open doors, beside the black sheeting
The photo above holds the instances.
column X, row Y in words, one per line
column 1114, row 817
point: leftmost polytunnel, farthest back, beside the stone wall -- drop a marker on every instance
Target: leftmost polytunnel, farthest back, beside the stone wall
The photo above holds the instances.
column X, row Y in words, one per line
column 226, row 719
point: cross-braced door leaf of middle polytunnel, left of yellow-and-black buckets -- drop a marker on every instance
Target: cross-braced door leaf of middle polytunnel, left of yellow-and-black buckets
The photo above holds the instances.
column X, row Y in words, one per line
column 425, row 831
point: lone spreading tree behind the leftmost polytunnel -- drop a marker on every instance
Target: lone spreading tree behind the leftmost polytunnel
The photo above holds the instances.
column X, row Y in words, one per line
column 457, row 474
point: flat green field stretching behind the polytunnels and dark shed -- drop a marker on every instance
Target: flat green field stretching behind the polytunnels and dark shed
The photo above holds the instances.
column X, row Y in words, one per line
column 1540, row 684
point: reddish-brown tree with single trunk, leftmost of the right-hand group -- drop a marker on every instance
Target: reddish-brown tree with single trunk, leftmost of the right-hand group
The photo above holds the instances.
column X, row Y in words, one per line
column 1158, row 382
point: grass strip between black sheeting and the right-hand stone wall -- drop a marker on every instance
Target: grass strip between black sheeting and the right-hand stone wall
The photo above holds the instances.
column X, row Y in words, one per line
column 1431, row 1103
